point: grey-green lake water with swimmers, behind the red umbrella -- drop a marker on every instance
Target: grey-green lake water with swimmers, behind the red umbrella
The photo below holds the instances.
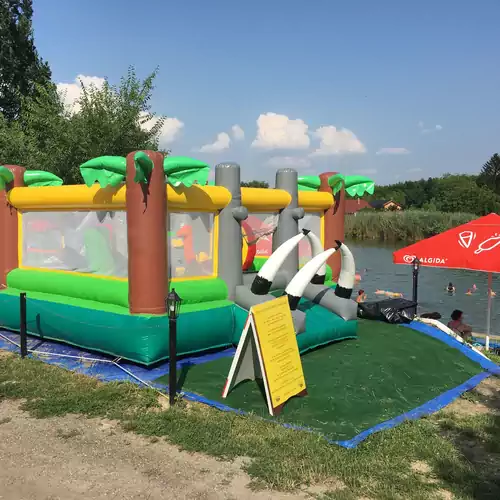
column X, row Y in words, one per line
column 382, row 274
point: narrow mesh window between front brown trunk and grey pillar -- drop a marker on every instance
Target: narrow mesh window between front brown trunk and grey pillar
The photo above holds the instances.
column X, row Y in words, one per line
column 190, row 244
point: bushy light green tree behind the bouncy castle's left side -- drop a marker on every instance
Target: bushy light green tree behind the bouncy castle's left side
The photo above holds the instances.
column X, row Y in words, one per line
column 111, row 121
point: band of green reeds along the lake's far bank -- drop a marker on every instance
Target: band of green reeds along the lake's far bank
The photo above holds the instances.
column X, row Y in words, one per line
column 408, row 225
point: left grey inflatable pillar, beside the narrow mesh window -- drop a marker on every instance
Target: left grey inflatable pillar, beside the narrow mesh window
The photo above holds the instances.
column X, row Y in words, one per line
column 230, row 242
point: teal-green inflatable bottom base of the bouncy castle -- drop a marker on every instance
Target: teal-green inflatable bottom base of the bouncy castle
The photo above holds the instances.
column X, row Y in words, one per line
column 110, row 329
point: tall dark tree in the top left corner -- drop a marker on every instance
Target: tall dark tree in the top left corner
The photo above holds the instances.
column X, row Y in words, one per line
column 21, row 69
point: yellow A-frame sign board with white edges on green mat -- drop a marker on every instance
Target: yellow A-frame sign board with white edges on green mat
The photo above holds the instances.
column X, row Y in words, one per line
column 268, row 350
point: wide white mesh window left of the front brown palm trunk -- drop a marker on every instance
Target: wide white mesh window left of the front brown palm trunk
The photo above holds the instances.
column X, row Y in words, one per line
column 85, row 242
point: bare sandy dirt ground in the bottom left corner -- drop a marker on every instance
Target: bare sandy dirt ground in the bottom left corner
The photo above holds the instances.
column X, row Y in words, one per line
column 77, row 458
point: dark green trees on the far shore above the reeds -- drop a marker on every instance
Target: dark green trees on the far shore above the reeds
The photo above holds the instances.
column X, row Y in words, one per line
column 450, row 193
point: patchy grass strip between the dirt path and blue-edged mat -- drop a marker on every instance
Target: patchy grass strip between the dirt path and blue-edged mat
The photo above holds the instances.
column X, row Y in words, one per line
column 454, row 452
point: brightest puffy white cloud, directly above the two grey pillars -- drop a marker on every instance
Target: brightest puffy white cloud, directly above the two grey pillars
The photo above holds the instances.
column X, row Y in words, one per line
column 276, row 131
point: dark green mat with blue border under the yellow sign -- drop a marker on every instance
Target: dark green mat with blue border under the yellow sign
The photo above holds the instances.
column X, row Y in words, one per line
column 352, row 385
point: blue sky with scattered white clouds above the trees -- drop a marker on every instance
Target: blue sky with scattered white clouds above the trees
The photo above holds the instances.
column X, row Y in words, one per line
column 391, row 89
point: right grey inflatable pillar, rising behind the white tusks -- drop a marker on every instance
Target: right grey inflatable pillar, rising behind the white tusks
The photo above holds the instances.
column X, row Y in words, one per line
column 288, row 222
